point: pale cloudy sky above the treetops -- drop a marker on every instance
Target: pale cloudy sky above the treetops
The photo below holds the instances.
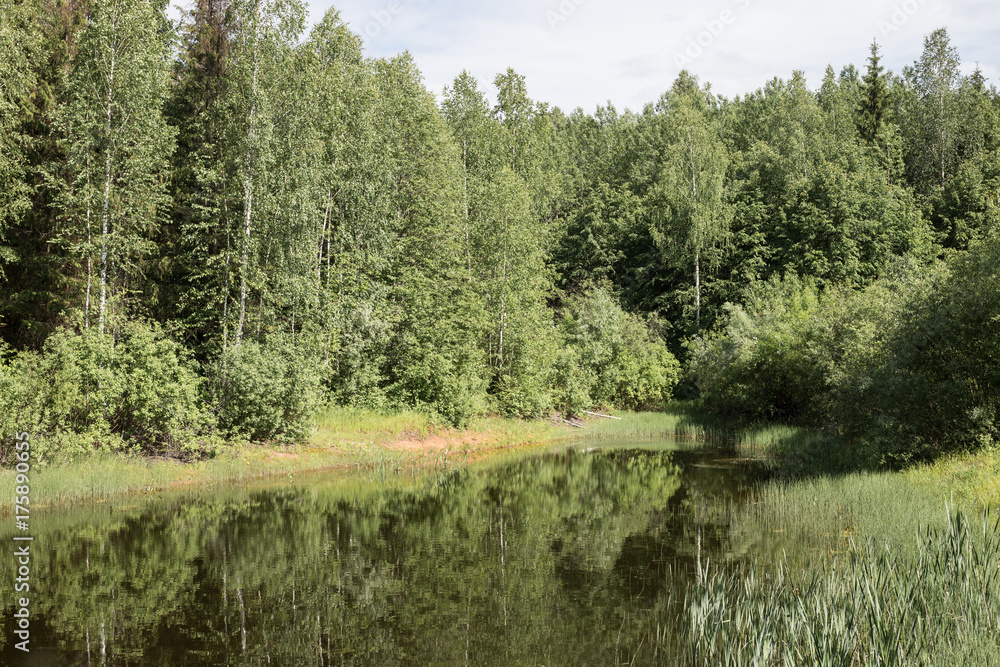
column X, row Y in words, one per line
column 582, row 53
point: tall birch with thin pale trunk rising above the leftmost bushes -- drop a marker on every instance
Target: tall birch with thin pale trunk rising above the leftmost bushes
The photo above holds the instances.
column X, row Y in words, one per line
column 118, row 146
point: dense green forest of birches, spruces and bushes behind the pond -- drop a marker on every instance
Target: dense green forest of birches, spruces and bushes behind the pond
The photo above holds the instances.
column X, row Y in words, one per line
column 211, row 228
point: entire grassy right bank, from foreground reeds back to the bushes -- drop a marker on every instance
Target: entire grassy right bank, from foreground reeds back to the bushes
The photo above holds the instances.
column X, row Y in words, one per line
column 845, row 568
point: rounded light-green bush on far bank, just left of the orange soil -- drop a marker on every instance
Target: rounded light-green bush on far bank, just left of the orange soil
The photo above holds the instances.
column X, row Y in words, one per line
column 267, row 390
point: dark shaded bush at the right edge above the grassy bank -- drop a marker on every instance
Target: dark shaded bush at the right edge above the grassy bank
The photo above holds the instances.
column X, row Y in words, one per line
column 931, row 386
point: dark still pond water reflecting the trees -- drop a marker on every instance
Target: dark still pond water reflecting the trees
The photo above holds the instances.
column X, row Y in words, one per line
column 563, row 557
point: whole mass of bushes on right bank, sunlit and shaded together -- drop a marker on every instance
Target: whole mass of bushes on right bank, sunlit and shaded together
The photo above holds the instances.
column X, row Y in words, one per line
column 905, row 368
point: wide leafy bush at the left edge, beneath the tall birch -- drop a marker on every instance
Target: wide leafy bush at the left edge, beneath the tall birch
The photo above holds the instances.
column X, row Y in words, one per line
column 88, row 391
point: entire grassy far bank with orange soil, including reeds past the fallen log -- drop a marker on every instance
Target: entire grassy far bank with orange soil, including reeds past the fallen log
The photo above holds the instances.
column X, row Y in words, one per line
column 345, row 440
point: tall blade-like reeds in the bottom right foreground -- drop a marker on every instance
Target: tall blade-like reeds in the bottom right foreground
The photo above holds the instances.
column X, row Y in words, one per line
column 873, row 607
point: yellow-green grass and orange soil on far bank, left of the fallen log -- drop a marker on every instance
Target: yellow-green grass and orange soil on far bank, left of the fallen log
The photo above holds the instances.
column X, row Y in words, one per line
column 345, row 439
